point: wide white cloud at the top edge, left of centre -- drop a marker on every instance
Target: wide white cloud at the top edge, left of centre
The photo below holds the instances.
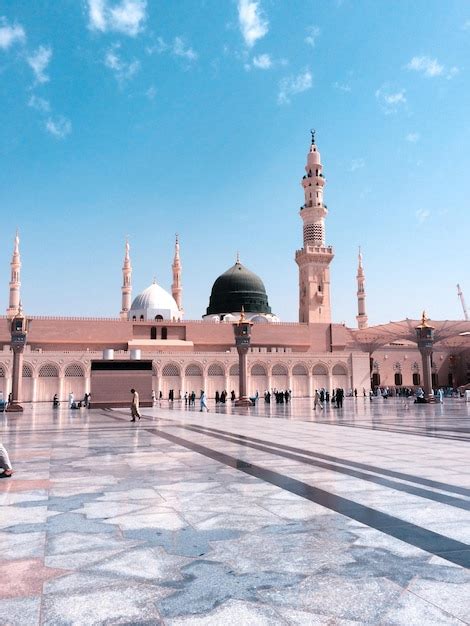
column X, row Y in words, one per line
column 127, row 16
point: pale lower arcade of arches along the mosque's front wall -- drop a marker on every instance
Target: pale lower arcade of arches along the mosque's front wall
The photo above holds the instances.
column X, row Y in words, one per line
column 61, row 372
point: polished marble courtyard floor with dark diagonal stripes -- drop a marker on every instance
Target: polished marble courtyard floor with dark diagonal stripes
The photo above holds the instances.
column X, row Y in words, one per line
column 276, row 515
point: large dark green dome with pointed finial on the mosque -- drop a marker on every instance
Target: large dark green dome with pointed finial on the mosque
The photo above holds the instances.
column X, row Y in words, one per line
column 238, row 288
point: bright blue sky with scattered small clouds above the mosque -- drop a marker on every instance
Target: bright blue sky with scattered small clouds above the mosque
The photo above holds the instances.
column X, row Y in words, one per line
column 147, row 118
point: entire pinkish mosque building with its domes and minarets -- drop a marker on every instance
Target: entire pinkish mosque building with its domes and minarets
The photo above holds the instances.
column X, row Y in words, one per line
column 189, row 355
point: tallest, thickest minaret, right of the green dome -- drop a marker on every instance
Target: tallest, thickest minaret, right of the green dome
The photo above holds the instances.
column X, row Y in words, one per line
column 315, row 257
